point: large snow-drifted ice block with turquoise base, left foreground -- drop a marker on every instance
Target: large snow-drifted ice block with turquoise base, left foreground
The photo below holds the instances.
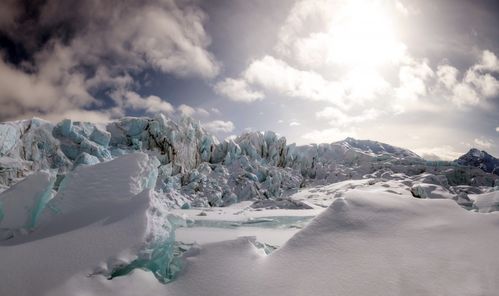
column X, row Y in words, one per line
column 105, row 219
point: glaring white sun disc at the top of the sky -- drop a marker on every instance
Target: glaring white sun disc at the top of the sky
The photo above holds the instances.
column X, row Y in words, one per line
column 362, row 34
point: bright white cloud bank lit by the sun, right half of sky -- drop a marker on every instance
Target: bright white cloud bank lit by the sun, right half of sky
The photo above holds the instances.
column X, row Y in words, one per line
column 332, row 51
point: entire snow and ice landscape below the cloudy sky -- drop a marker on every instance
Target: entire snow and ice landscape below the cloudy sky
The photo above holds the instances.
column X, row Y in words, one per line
column 155, row 207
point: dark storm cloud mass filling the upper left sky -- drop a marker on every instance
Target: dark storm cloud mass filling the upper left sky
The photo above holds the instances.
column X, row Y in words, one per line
column 72, row 49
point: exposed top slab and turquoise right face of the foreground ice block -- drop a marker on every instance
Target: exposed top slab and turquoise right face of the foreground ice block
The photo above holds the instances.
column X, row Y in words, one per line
column 132, row 176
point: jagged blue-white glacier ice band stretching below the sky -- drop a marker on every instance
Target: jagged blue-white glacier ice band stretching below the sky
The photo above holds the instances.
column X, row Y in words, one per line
column 196, row 168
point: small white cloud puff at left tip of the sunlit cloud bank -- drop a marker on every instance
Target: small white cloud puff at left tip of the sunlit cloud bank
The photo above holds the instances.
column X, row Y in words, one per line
column 237, row 90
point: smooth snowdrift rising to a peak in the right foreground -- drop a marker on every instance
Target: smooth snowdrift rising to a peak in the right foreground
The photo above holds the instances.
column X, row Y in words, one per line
column 367, row 243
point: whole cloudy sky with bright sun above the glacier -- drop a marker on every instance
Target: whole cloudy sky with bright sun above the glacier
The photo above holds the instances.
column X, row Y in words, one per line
column 416, row 74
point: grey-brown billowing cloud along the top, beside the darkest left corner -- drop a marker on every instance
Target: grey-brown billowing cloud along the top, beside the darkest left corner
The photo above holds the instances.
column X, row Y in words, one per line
column 167, row 35
